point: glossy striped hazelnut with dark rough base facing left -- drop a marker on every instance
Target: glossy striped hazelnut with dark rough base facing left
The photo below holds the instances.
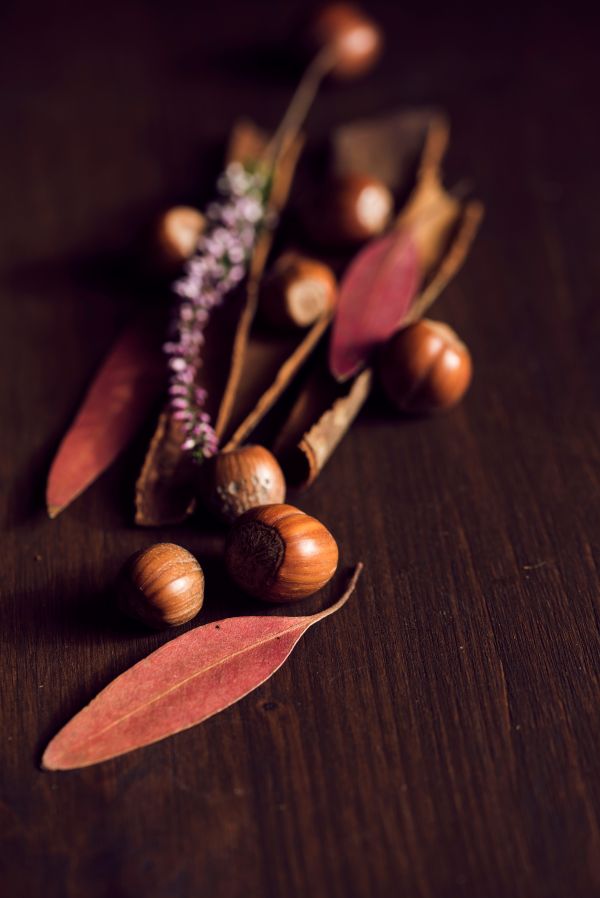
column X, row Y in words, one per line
column 279, row 554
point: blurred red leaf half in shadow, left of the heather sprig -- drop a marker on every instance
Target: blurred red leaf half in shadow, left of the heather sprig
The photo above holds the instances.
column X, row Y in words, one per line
column 119, row 399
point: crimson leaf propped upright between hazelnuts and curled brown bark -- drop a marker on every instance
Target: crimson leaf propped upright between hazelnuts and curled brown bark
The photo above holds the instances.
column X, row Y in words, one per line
column 374, row 297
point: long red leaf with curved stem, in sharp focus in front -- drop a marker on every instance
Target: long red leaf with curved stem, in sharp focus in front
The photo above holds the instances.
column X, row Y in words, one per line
column 181, row 684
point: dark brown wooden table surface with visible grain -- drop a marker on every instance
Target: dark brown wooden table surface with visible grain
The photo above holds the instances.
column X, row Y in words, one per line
column 438, row 737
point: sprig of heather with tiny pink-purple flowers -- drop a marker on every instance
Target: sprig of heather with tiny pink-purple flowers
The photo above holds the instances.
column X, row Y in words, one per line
column 218, row 265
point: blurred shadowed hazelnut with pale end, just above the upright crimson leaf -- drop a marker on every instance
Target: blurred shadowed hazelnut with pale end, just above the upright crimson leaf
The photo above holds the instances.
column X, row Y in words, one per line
column 354, row 208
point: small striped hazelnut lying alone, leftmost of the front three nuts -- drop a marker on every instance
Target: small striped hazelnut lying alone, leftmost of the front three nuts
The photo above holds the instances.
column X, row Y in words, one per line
column 162, row 586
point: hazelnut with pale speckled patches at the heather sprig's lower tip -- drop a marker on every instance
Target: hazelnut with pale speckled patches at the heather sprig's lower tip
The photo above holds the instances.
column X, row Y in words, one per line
column 240, row 479
